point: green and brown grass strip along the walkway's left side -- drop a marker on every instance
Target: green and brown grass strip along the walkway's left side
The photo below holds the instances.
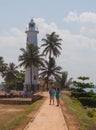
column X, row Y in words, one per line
column 21, row 119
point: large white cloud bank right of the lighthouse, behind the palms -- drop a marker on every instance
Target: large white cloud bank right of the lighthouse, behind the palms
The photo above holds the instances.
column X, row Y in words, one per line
column 78, row 51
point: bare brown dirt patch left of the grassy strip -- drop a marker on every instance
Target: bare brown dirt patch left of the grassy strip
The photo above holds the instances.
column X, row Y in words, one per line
column 9, row 112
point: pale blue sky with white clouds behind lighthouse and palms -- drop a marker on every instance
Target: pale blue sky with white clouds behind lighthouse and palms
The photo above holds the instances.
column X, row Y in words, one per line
column 73, row 20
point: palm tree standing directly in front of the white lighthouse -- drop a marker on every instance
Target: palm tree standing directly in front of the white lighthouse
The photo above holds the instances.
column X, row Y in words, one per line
column 29, row 58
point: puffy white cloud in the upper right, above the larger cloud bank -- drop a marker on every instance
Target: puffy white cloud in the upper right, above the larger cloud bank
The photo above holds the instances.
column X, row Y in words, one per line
column 86, row 22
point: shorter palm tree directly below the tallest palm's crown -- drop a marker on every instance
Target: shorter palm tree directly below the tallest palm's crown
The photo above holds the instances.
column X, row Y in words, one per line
column 50, row 69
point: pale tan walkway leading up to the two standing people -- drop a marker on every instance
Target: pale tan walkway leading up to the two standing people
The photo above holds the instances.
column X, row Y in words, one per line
column 49, row 117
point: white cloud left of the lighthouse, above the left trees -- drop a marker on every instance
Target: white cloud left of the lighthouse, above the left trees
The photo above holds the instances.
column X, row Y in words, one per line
column 10, row 43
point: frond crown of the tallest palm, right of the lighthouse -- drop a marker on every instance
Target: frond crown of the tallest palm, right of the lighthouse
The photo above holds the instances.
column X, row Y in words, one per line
column 52, row 45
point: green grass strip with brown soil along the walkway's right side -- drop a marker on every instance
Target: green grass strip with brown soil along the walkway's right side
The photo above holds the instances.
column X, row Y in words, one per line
column 79, row 114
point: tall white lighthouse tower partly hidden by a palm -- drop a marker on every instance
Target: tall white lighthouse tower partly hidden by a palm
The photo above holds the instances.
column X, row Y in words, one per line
column 31, row 39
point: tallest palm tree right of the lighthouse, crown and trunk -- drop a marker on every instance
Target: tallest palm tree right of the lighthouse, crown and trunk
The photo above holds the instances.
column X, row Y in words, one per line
column 52, row 48
